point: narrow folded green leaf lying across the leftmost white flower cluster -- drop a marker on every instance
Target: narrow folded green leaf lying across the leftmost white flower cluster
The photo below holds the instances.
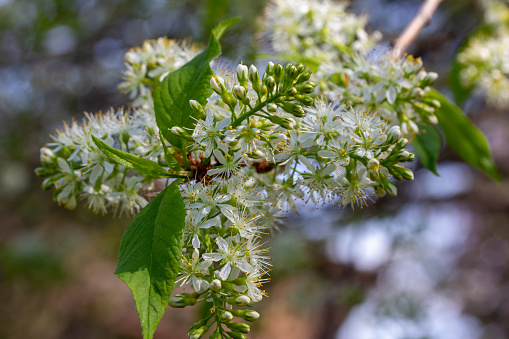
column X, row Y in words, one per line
column 140, row 165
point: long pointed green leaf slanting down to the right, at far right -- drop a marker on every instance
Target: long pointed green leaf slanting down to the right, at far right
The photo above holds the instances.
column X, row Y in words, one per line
column 463, row 137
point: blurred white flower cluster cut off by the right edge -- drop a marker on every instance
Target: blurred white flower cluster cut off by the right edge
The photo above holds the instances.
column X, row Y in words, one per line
column 486, row 58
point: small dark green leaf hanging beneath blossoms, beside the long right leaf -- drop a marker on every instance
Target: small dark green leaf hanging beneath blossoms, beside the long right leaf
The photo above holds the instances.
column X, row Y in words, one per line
column 427, row 145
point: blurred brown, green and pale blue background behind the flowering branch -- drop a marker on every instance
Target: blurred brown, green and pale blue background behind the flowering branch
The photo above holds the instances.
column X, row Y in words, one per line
column 432, row 262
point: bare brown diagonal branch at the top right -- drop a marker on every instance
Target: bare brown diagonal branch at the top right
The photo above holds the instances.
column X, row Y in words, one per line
column 422, row 18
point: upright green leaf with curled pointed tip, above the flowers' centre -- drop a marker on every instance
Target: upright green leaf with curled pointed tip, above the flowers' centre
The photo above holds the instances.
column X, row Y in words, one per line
column 191, row 81
